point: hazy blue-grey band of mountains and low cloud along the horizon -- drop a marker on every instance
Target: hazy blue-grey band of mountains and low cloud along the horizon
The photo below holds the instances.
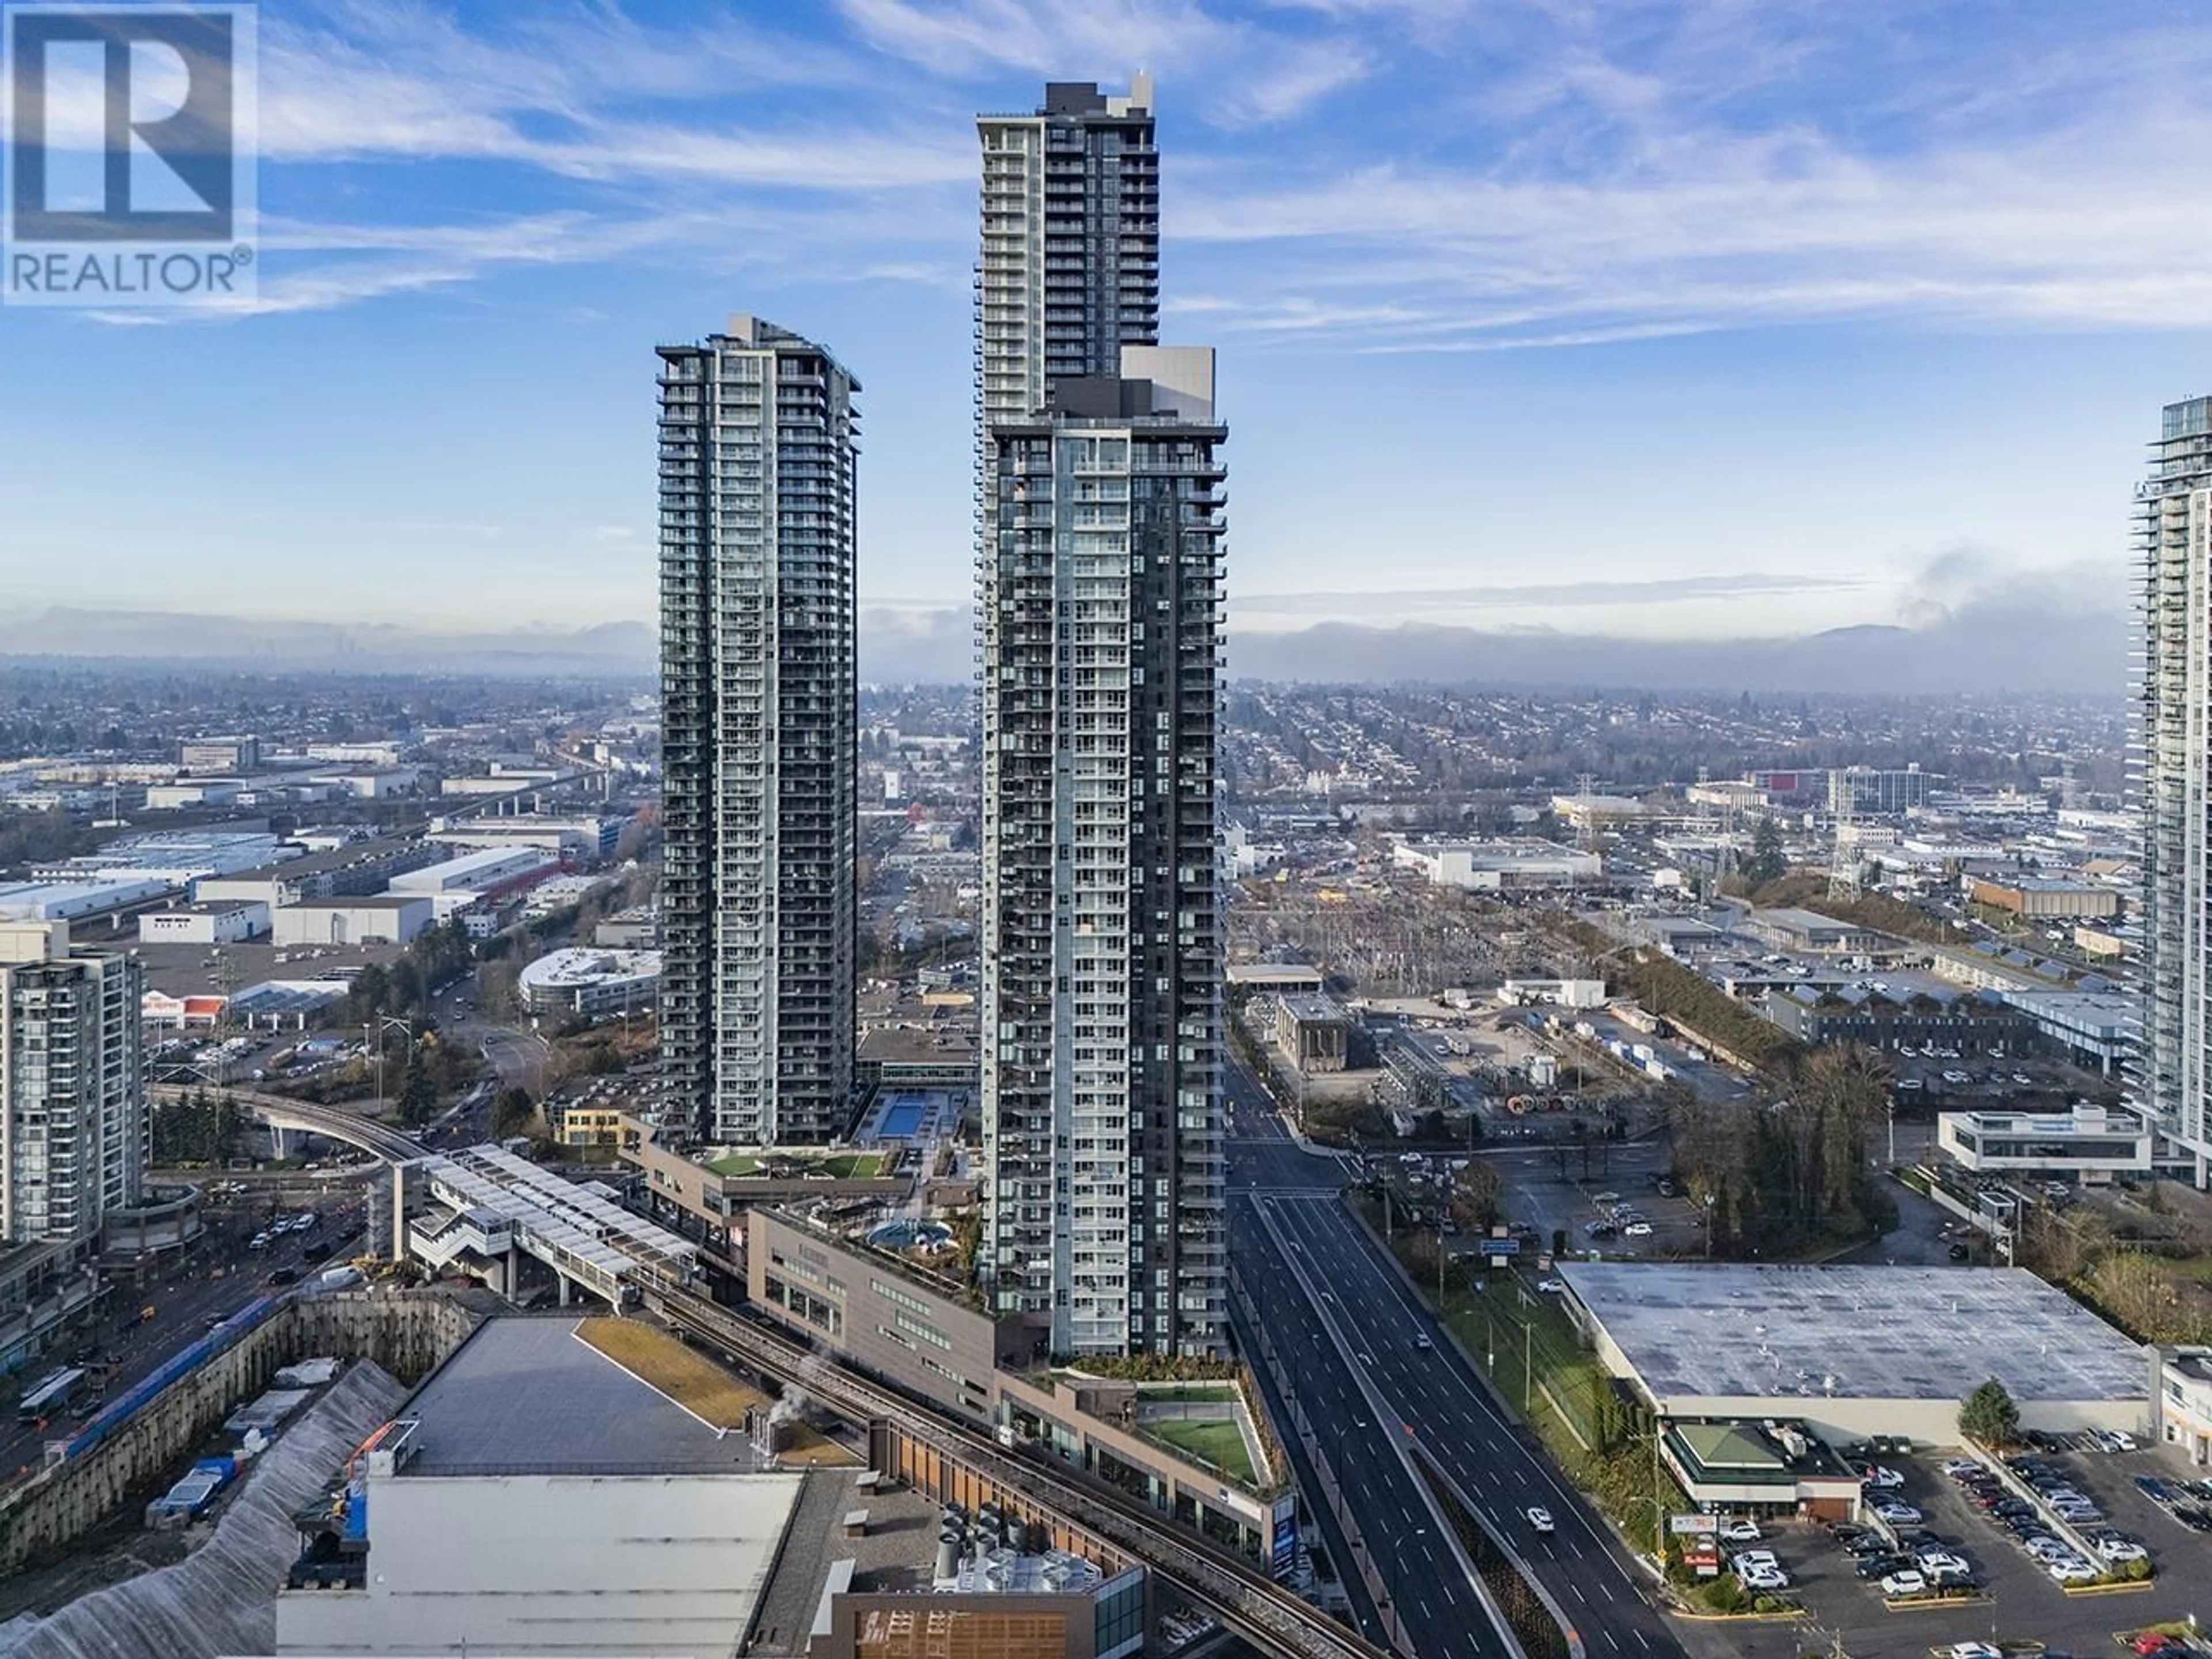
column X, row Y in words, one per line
column 1983, row 647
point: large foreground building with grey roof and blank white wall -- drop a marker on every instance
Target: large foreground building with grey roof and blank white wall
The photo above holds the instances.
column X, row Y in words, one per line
column 541, row 1499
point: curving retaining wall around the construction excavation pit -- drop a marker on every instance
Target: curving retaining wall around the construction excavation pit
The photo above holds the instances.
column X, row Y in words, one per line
column 406, row 1333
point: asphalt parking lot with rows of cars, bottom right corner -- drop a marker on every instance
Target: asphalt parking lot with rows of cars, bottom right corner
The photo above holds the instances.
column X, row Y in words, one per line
column 2018, row 1598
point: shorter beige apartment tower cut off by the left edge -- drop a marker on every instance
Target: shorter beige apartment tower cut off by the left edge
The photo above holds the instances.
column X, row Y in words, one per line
column 74, row 1131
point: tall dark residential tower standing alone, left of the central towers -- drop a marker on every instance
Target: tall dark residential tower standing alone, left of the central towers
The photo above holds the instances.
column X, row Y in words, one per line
column 760, row 729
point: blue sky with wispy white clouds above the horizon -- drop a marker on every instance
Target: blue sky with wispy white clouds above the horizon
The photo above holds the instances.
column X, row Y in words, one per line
column 1707, row 317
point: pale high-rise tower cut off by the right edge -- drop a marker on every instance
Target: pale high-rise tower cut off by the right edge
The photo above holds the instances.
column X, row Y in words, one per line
column 2173, row 780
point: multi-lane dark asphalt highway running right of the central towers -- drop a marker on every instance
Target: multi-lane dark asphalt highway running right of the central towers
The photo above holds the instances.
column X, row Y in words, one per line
column 1348, row 1328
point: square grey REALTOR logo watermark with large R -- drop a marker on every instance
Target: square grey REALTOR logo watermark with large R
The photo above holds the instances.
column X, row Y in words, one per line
column 129, row 156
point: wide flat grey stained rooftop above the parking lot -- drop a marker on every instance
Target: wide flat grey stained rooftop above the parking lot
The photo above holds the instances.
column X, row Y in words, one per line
column 1757, row 1333
